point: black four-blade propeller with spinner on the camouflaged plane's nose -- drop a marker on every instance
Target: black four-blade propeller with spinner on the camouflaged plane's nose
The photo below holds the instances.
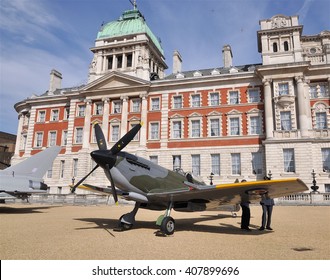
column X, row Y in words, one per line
column 107, row 158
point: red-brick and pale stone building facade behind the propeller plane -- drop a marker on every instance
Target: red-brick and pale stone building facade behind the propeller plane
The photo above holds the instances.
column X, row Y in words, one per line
column 238, row 122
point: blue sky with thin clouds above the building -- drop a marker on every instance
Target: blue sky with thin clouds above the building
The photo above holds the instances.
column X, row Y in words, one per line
column 39, row 35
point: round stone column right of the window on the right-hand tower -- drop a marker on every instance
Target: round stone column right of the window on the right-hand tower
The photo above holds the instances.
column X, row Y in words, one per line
column 302, row 114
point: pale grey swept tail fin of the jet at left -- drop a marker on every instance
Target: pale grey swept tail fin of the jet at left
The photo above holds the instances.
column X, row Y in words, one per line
column 37, row 165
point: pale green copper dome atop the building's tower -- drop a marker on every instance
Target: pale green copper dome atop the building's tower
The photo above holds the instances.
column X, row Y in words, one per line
column 131, row 22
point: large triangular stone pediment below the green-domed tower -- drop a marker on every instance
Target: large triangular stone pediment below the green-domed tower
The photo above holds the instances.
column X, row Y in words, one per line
column 115, row 81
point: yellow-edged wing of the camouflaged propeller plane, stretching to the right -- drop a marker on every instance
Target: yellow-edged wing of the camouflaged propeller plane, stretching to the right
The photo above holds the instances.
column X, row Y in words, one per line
column 233, row 193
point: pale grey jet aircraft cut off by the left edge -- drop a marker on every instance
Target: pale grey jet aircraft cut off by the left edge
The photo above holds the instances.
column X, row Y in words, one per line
column 25, row 178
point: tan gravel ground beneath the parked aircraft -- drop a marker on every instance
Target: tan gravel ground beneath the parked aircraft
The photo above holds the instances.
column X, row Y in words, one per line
column 52, row 232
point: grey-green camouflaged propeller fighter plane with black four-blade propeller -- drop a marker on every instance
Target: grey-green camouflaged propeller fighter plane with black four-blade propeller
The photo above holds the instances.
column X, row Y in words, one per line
column 156, row 188
